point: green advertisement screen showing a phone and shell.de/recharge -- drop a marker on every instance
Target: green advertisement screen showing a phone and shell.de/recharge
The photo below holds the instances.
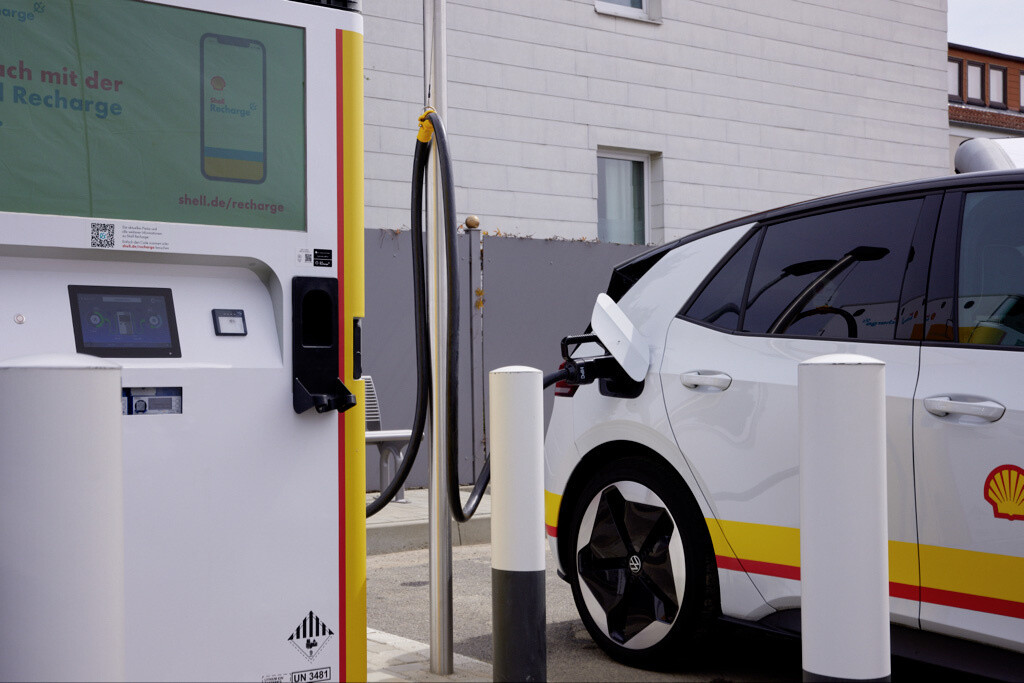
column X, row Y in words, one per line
column 121, row 109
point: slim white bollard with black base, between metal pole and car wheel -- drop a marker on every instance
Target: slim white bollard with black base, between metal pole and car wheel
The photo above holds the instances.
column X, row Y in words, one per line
column 518, row 565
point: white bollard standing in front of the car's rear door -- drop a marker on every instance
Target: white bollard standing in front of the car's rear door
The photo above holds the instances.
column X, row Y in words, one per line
column 844, row 539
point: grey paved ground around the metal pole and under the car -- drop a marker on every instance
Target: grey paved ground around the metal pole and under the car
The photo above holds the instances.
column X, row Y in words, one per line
column 399, row 617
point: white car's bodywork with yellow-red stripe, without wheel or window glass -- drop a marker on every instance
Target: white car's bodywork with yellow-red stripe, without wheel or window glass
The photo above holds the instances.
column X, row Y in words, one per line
column 721, row 408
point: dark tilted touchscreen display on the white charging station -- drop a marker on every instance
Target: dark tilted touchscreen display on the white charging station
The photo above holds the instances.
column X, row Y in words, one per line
column 124, row 322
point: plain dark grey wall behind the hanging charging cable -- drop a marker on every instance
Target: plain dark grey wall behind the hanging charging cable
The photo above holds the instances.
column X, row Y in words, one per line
column 534, row 293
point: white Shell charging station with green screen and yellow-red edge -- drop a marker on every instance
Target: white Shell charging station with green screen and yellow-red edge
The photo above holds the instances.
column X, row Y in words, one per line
column 182, row 195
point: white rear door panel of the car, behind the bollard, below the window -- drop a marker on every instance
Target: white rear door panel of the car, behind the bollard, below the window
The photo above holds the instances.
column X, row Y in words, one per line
column 742, row 445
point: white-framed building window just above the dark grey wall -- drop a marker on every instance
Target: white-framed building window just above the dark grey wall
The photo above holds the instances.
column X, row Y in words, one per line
column 623, row 193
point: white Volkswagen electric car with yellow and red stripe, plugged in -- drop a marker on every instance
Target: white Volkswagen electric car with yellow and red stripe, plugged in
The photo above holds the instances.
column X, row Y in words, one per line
column 674, row 500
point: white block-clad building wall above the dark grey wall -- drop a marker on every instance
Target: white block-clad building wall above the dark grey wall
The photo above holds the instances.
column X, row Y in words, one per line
column 742, row 106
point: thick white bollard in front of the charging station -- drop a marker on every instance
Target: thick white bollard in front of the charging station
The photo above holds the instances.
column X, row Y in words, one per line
column 62, row 521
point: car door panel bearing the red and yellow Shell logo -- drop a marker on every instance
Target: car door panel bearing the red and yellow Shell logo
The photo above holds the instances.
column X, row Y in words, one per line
column 972, row 556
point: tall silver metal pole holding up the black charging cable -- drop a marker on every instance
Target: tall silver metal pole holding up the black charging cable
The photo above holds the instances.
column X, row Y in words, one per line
column 442, row 657
